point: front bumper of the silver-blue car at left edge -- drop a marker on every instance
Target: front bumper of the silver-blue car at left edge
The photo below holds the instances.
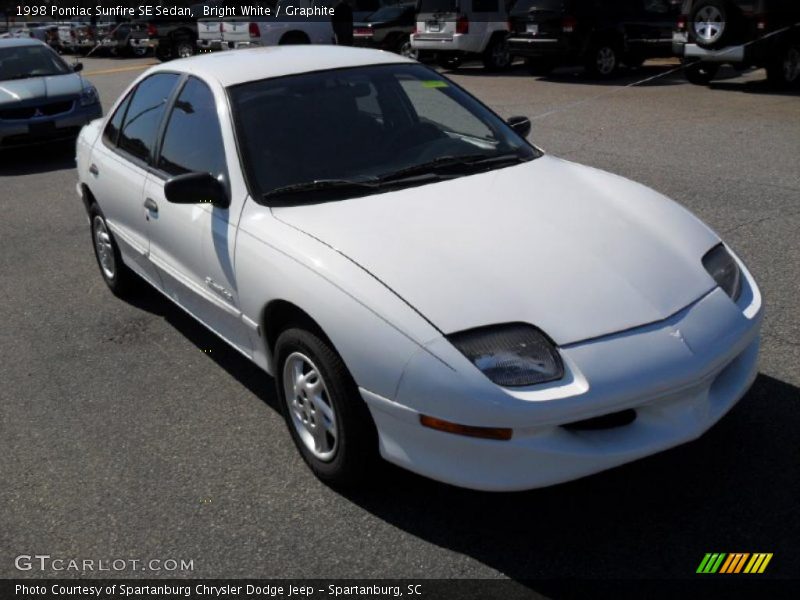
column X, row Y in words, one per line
column 41, row 130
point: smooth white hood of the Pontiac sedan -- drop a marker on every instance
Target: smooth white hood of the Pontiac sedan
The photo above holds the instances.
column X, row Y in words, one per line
column 575, row 251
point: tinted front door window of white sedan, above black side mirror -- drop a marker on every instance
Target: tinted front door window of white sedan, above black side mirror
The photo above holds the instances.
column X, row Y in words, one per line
column 193, row 139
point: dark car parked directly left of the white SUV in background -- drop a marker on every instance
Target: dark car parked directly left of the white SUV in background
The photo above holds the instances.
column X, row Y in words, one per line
column 388, row 28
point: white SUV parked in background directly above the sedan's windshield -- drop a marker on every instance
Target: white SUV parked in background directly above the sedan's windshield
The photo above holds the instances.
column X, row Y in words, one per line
column 457, row 30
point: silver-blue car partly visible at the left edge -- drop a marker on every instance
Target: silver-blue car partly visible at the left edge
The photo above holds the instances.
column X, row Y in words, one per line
column 41, row 97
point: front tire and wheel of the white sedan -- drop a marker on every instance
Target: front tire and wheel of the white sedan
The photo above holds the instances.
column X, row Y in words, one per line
column 326, row 416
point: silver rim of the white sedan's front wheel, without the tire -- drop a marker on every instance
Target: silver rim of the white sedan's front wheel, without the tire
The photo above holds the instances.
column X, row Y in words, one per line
column 311, row 409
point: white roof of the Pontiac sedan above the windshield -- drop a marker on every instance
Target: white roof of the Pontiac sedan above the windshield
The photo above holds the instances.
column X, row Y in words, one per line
column 241, row 66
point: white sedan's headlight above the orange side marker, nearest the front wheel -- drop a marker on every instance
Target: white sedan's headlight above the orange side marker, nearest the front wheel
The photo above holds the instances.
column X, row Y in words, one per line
column 510, row 355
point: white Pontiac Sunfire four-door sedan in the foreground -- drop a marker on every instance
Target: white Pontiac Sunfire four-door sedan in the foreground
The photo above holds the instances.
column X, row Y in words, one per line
column 423, row 283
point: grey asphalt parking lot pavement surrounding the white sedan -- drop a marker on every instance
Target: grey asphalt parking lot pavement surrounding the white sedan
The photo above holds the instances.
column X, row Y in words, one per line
column 129, row 431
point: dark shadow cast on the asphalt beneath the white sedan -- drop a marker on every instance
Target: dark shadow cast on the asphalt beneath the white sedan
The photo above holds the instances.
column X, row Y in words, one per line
column 735, row 489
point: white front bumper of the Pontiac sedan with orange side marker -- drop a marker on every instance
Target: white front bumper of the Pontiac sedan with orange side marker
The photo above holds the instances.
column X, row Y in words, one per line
column 680, row 376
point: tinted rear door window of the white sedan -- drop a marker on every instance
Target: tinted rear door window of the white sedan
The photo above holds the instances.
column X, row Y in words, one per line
column 144, row 114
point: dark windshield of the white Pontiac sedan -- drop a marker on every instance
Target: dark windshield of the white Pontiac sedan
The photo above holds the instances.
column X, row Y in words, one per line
column 352, row 131
